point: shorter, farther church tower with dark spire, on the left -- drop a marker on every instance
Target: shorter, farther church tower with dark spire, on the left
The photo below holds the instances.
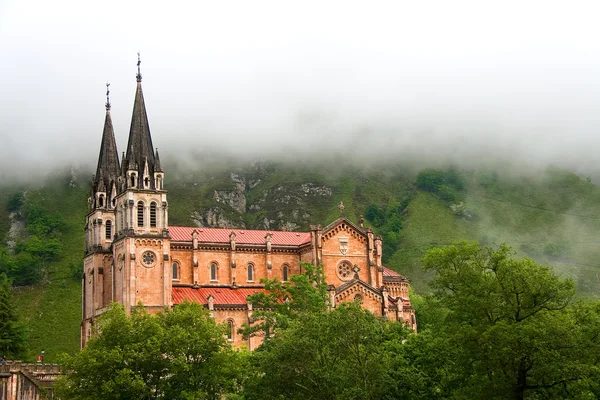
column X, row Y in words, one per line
column 100, row 227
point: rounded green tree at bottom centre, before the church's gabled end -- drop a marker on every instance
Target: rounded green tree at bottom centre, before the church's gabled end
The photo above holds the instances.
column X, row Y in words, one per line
column 337, row 354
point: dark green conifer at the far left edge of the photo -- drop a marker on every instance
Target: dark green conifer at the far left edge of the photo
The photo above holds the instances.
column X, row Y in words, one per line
column 12, row 332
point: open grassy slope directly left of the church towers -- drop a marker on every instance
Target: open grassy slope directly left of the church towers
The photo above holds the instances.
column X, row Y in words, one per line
column 52, row 310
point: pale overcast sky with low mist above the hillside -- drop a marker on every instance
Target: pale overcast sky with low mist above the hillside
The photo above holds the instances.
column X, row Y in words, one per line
column 469, row 79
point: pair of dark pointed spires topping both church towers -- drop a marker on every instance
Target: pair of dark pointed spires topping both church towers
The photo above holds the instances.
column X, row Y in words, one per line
column 140, row 156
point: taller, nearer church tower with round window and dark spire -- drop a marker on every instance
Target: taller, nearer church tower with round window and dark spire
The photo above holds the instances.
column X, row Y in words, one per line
column 141, row 247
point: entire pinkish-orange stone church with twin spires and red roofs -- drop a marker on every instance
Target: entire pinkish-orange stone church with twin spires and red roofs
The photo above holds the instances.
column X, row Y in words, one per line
column 133, row 255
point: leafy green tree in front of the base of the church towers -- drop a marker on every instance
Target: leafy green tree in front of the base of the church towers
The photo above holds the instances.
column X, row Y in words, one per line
column 178, row 354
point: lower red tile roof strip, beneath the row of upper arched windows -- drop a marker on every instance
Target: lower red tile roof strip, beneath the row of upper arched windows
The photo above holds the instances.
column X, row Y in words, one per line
column 222, row 295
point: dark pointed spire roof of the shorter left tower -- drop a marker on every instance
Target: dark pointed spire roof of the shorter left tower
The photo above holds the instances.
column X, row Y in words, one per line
column 108, row 168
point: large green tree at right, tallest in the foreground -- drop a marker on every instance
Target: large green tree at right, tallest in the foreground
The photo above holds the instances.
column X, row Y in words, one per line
column 514, row 328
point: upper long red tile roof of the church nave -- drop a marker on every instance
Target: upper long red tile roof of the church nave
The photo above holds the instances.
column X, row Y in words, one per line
column 242, row 236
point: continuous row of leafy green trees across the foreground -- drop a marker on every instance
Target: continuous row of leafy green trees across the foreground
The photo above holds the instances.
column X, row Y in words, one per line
column 495, row 328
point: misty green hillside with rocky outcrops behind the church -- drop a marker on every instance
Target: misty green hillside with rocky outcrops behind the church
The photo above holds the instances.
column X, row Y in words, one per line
column 552, row 217
